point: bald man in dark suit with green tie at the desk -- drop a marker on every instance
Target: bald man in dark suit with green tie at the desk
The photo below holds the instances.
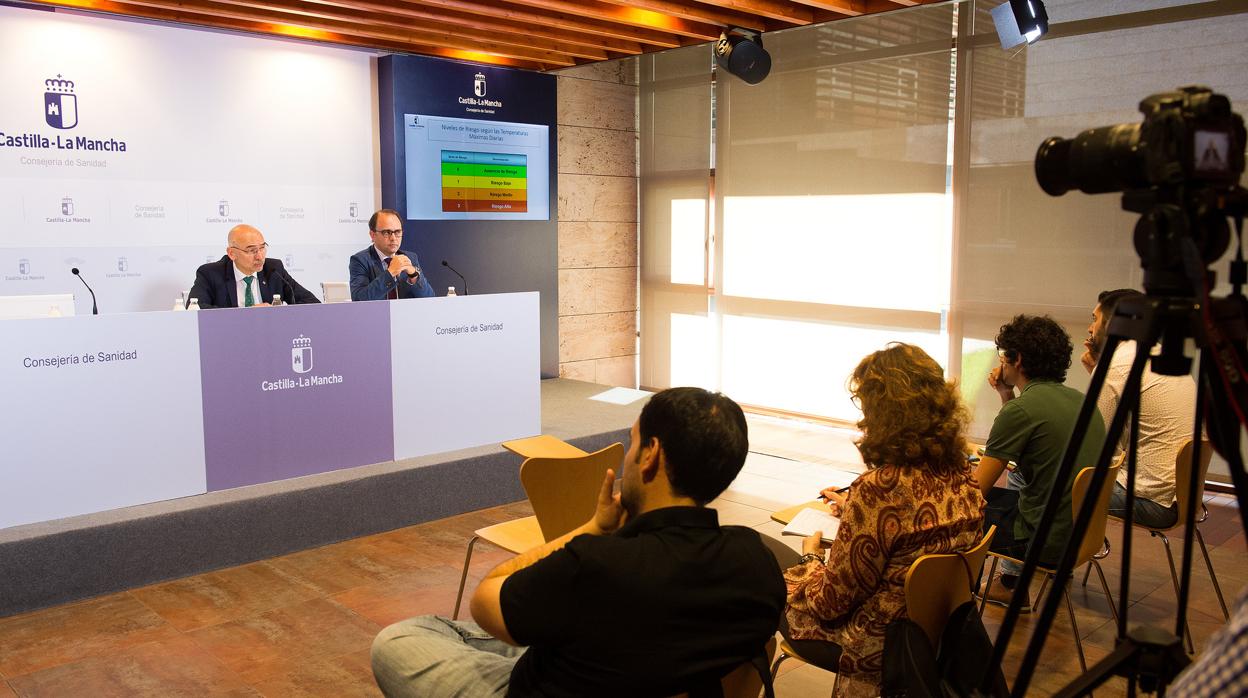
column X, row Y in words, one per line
column 244, row 278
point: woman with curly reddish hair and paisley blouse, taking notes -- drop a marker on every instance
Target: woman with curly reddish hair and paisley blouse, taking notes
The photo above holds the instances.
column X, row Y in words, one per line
column 919, row 496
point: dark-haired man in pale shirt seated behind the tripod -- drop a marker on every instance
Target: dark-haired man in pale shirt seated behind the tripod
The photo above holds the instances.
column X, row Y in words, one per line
column 1168, row 409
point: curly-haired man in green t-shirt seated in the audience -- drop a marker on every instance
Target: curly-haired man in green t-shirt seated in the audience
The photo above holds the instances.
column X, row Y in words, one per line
column 1031, row 430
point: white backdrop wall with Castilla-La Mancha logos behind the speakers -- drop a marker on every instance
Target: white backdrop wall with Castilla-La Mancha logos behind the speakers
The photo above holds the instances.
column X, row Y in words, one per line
column 219, row 129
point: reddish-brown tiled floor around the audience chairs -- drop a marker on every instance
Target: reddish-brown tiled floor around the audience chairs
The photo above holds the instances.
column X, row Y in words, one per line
column 301, row 625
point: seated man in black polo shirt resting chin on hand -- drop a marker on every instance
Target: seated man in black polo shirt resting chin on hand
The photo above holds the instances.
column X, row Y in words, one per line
column 651, row 597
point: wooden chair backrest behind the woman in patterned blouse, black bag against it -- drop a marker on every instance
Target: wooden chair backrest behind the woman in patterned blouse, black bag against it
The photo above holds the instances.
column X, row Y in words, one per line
column 938, row 584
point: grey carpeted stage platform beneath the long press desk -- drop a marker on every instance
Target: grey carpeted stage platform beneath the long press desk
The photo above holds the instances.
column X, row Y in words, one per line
column 59, row 561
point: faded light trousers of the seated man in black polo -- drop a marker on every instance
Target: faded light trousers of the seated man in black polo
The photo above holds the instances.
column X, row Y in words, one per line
column 435, row 656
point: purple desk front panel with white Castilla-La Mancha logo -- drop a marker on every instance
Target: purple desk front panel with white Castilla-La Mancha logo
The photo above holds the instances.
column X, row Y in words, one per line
column 295, row 390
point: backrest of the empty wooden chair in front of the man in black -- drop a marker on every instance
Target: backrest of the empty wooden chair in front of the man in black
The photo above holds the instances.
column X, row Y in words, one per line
column 563, row 491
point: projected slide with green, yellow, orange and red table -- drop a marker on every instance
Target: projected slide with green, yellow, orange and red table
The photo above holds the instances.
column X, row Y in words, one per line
column 471, row 169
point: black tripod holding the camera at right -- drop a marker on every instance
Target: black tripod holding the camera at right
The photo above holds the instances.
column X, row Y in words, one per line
column 1149, row 657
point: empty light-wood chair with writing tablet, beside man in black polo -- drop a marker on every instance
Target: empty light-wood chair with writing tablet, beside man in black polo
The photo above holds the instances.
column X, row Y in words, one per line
column 563, row 489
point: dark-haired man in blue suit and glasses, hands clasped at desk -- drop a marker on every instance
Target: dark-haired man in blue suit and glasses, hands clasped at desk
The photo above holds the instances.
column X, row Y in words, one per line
column 383, row 270
